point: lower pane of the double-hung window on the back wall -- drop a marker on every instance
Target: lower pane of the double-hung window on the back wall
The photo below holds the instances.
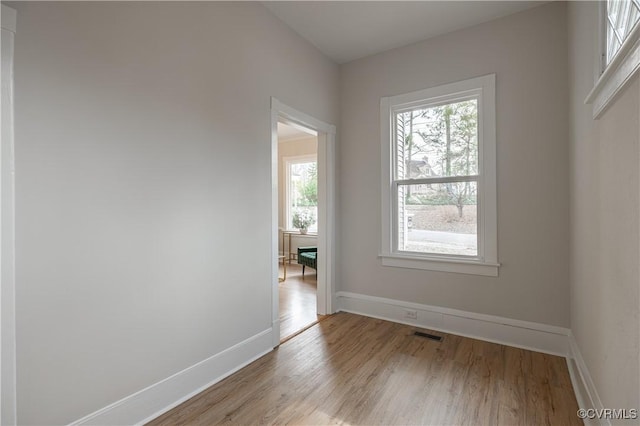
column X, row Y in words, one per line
column 438, row 218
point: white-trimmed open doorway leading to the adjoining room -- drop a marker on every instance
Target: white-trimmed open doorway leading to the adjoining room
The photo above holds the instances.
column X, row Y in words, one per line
column 288, row 198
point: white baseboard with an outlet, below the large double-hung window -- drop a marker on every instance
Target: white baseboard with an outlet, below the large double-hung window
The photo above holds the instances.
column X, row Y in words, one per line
column 511, row 332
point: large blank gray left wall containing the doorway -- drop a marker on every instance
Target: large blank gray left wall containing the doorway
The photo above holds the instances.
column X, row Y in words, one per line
column 143, row 146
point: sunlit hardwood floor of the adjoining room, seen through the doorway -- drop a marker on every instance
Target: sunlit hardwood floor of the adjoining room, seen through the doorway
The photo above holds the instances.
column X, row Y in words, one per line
column 297, row 300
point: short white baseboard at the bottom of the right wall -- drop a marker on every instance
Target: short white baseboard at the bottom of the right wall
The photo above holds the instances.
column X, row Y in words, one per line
column 582, row 382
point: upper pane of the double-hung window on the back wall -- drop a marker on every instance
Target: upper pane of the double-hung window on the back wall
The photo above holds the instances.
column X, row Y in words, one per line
column 437, row 141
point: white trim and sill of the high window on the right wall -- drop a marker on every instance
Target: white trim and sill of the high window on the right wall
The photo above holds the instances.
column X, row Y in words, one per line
column 620, row 71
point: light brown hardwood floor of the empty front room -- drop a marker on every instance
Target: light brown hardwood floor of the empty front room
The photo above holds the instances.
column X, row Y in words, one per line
column 350, row 369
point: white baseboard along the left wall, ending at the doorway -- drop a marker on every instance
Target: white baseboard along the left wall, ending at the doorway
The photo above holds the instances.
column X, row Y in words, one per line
column 159, row 398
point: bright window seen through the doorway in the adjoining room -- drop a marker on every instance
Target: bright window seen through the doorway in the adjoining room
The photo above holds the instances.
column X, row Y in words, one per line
column 302, row 190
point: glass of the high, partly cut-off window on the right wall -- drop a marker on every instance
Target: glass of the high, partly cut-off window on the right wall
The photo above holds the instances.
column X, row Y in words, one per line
column 620, row 18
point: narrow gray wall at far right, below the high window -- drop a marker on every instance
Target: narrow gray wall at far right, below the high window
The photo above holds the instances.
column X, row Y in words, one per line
column 605, row 212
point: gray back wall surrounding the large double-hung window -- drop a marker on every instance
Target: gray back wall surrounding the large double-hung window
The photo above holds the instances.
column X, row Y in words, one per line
column 528, row 52
